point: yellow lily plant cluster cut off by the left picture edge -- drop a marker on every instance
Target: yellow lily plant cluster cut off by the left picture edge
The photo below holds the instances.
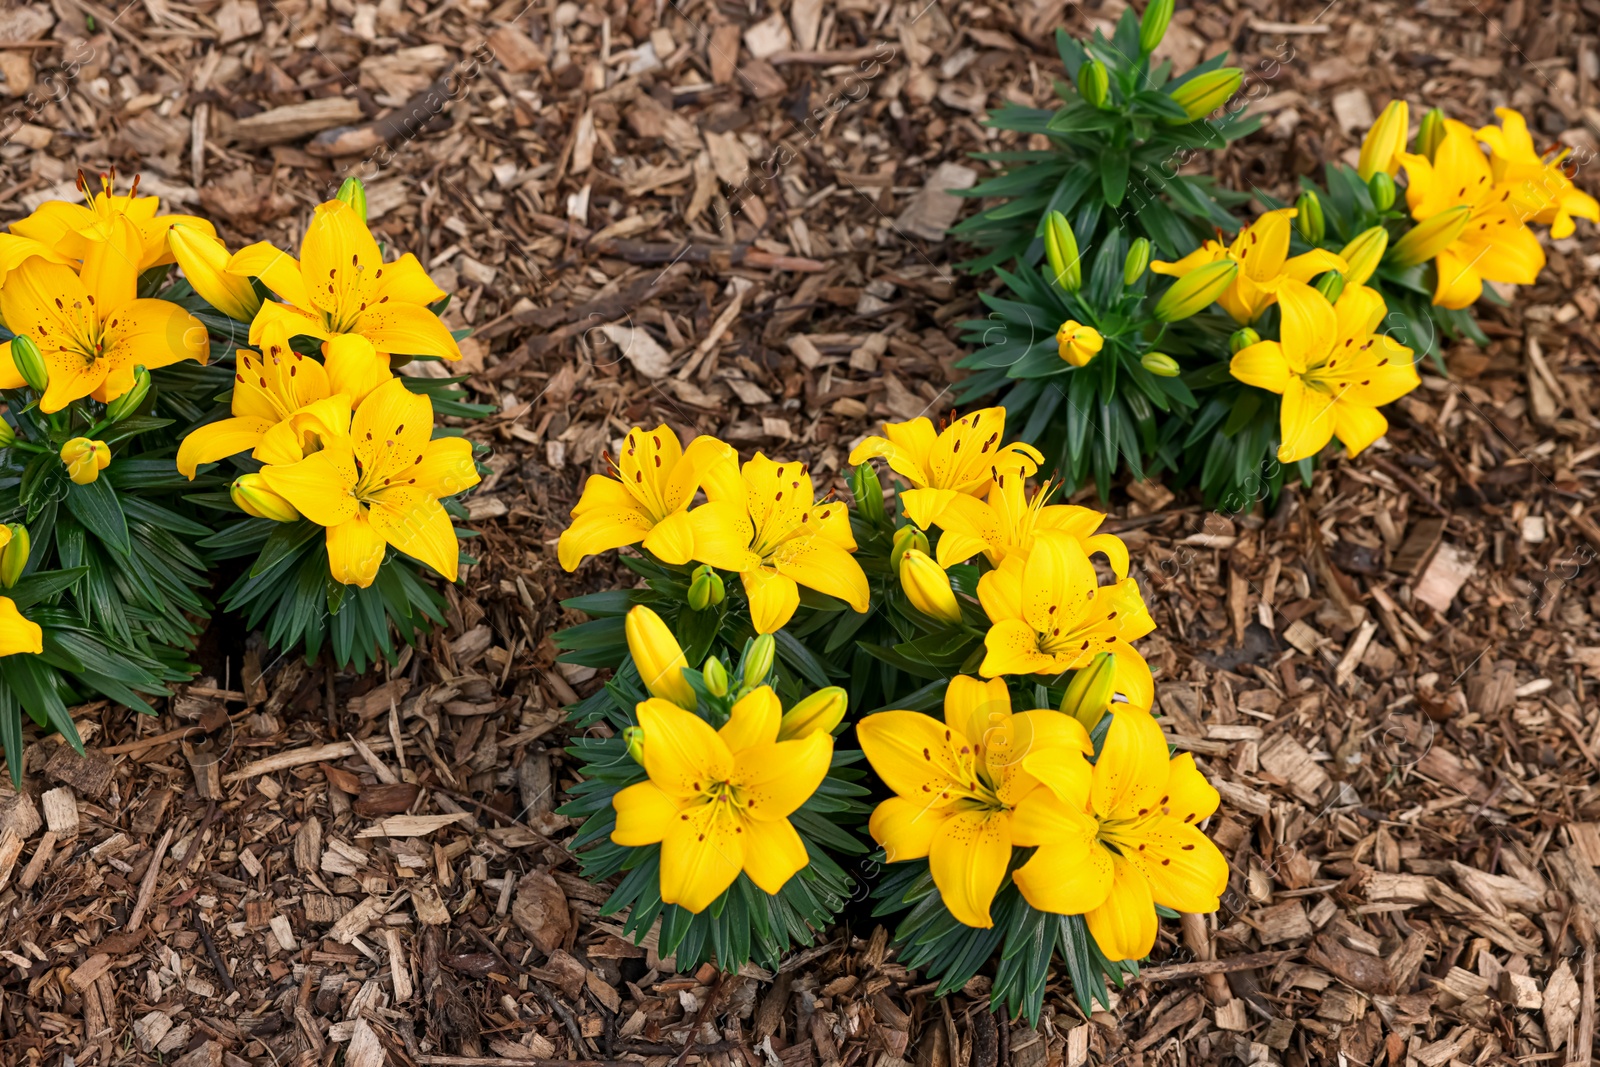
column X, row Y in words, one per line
column 137, row 353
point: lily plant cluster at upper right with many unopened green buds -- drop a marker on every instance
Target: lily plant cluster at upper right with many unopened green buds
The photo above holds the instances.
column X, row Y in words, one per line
column 1106, row 366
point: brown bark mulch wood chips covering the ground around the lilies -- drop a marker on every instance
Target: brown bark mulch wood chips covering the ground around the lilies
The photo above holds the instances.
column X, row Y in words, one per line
column 1393, row 677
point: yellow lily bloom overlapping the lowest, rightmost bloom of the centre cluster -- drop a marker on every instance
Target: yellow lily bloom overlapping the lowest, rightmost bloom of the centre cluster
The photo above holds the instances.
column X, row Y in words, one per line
column 958, row 785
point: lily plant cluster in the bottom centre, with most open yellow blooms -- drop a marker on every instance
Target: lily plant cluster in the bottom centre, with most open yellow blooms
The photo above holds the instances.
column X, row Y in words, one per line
column 1028, row 804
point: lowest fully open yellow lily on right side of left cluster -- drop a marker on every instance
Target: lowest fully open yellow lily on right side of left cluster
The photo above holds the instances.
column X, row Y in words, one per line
column 382, row 484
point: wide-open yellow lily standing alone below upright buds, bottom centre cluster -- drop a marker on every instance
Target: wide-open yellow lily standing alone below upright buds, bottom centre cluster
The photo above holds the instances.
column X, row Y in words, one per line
column 719, row 802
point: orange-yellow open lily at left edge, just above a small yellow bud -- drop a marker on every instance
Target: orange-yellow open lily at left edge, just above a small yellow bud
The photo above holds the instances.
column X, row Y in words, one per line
column 90, row 327
